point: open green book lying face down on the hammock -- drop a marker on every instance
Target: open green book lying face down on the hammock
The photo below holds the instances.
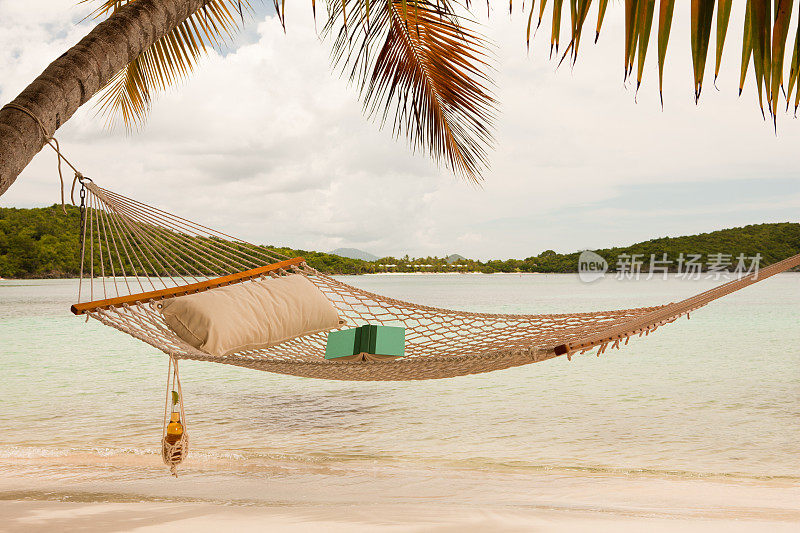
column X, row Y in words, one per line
column 366, row 343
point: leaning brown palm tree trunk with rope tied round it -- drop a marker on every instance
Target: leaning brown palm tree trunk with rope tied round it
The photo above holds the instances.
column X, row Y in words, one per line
column 72, row 79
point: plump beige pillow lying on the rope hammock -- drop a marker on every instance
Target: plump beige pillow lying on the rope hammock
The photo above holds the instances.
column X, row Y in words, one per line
column 250, row 315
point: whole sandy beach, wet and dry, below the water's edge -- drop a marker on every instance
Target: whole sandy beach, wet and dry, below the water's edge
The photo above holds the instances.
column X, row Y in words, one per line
column 315, row 497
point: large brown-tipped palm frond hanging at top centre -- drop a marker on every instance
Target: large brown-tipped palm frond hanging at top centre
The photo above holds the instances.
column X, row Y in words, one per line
column 419, row 59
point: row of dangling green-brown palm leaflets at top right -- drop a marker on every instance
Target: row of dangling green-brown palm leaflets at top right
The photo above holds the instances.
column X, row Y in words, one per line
column 768, row 24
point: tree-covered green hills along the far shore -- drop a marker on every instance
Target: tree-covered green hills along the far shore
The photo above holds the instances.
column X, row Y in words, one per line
column 43, row 242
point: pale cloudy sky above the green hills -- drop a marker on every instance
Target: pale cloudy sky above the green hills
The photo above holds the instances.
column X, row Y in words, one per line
column 265, row 141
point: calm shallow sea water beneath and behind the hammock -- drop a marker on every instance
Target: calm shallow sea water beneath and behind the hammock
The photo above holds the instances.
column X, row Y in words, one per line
column 718, row 395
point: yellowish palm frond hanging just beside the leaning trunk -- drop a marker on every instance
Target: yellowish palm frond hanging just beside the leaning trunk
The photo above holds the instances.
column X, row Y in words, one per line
column 128, row 96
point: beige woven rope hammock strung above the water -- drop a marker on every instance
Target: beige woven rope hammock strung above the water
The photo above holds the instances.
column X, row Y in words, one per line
column 133, row 256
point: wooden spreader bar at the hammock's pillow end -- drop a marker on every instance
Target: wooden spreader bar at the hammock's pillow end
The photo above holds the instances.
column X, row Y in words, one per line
column 81, row 308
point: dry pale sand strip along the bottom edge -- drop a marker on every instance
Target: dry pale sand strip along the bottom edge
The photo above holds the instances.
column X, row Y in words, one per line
column 19, row 516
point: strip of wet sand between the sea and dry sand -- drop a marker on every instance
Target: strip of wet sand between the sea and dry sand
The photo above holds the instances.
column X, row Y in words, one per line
column 142, row 477
